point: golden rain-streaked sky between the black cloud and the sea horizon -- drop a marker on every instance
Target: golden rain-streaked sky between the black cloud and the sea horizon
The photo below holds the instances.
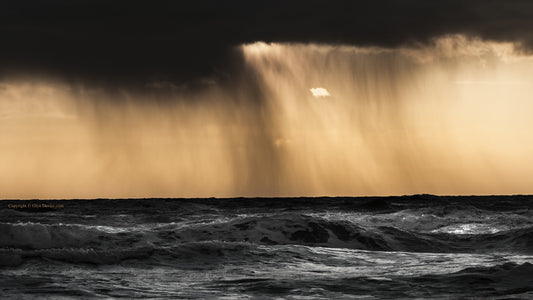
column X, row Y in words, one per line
column 447, row 118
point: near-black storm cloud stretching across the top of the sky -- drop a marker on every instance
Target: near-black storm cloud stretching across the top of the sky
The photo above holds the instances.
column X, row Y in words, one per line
column 172, row 41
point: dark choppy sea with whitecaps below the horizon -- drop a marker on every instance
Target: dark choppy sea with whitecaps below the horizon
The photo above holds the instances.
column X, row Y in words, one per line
column 411, row 247
